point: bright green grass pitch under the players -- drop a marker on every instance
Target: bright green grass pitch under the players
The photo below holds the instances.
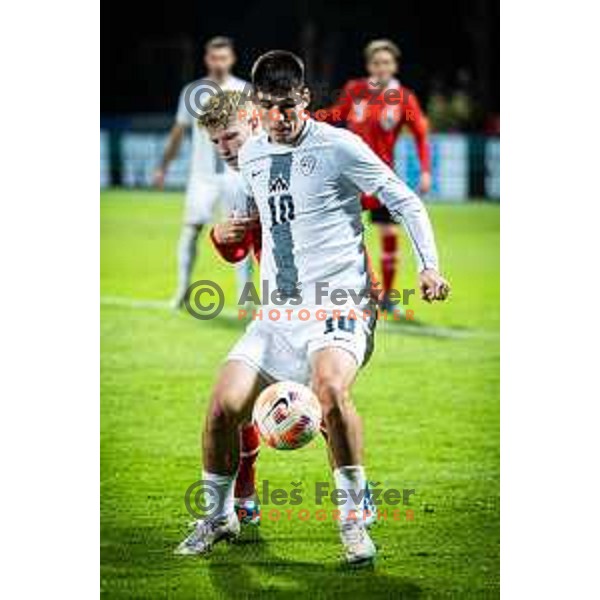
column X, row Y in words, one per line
column 429, row 399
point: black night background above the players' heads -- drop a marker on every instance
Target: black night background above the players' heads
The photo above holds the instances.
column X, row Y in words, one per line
column 149, row 51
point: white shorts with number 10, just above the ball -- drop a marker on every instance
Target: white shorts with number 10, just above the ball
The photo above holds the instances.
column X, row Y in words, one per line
column 281, row 350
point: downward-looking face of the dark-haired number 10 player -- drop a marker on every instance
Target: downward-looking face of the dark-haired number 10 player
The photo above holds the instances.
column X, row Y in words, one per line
column 283, row 117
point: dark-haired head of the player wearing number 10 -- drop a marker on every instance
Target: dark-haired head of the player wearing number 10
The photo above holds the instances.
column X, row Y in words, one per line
column 281, row 92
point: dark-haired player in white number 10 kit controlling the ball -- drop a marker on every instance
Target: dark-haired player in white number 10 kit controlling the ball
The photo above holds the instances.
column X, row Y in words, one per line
column 305, row 178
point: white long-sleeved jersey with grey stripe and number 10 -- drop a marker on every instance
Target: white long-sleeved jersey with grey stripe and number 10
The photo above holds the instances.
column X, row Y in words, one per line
column 308, row 199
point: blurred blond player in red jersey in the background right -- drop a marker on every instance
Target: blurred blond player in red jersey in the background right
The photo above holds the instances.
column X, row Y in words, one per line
column 377, row 107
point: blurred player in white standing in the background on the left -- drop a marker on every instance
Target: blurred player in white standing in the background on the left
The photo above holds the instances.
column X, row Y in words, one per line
column 210, row 179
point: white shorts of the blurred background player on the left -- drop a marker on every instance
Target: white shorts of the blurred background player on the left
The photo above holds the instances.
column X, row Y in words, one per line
column 203, row 192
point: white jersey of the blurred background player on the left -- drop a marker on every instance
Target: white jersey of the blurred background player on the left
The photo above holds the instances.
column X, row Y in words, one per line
column 204, row 161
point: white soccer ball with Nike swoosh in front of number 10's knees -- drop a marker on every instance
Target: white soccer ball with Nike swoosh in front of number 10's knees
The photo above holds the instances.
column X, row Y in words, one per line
column 288, row 415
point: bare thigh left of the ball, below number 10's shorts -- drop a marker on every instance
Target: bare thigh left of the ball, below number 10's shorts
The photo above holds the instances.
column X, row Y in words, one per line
column 236, row 389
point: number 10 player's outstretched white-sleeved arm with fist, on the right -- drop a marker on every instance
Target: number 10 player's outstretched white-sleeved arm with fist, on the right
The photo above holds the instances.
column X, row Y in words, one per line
column 368, row 172
